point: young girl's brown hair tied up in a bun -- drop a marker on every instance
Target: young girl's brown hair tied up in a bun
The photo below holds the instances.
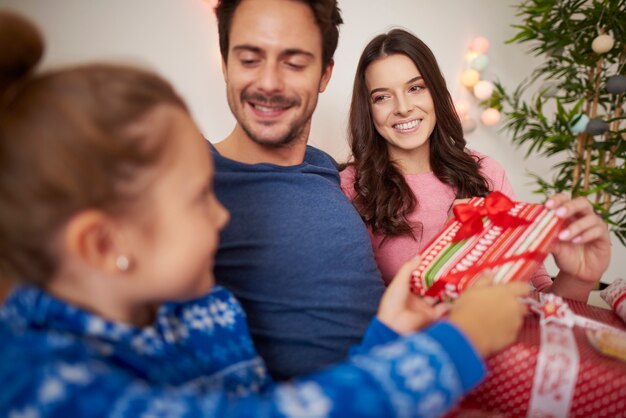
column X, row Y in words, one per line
column 66, row 145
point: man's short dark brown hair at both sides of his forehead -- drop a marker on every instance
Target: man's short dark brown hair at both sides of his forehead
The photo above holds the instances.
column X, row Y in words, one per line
column 327, row 16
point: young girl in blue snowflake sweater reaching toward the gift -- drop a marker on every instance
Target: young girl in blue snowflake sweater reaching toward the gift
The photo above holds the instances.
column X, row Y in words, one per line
column 109, row 222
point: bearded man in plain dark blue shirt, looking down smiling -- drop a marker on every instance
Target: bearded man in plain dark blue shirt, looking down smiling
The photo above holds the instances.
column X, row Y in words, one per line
column 295, row 253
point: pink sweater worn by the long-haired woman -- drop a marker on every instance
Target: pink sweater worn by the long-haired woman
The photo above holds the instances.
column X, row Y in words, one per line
column 434, row 200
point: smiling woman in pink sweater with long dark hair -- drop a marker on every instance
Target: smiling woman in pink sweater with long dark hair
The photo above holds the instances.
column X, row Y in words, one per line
column 410, row 165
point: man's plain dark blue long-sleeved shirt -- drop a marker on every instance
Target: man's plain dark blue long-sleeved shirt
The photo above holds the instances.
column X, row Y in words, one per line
column 299, row 259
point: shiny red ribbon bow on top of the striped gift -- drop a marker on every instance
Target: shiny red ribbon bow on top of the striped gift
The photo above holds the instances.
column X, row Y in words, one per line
column 496, row 207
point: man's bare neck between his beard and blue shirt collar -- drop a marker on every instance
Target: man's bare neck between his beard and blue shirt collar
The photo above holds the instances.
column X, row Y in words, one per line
column 239, row 147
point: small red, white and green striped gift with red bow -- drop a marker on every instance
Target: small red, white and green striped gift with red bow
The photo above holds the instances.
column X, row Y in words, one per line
column 512, row 238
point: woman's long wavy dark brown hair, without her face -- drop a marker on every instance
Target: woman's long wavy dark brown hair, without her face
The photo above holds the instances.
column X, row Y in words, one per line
column 383, row 197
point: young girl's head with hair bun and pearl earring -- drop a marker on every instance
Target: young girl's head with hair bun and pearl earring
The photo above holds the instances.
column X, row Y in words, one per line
column 102, row 170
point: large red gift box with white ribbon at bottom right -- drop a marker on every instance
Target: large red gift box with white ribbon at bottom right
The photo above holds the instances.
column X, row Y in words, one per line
column 597, row 390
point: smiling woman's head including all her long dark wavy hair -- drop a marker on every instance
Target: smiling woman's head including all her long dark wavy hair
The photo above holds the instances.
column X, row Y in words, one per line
column 402, row 120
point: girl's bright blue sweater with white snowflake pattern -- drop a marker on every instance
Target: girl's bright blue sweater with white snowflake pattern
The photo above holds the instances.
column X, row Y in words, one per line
column 197, row 360
